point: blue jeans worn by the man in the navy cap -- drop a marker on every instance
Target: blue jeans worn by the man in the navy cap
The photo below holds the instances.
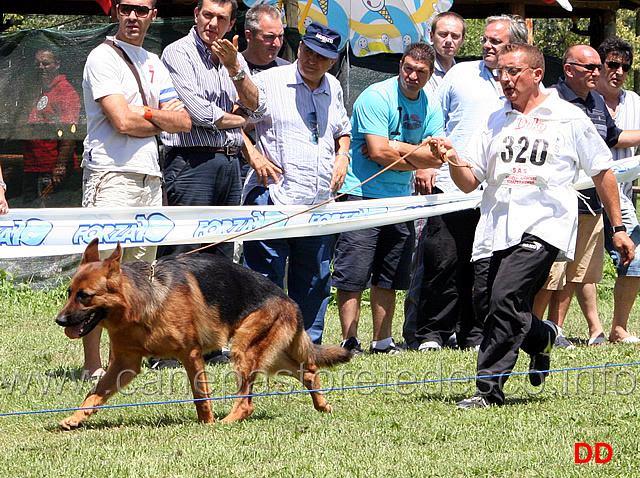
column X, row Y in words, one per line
column 309, row 274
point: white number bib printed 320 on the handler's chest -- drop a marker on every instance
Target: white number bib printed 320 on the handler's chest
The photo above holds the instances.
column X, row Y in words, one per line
column 523, row 151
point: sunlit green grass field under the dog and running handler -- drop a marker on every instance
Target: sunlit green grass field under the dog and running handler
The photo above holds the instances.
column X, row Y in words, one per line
column 409, row 430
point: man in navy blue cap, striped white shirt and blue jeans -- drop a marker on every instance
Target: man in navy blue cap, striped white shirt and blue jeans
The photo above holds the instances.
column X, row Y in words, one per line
column 305, row 132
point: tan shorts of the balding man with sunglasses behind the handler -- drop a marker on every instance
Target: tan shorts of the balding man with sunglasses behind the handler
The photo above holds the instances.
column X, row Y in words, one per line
column 586, row 268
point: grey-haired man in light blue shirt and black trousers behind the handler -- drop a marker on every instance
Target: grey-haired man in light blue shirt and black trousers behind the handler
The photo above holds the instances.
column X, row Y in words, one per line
column 468, row 94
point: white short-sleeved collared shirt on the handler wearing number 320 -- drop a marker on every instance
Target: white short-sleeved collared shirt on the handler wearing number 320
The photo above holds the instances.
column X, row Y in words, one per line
column 530, row 163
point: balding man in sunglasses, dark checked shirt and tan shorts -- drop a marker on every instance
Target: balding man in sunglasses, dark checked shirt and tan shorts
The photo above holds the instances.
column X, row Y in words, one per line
column 582, row 66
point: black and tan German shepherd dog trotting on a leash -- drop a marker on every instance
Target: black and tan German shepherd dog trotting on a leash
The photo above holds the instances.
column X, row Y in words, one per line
column 185, row 306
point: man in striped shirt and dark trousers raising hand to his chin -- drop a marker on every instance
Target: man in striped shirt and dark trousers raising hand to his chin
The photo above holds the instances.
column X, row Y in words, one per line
column 202, row 166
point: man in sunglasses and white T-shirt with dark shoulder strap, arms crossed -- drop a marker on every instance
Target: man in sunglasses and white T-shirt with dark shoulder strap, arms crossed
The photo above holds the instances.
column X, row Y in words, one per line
column 120, row 157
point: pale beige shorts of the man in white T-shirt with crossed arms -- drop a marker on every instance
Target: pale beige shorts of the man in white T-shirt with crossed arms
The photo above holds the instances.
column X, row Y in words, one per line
column 111, row 189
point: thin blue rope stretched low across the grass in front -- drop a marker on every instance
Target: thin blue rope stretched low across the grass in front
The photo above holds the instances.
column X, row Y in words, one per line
column 270, row 394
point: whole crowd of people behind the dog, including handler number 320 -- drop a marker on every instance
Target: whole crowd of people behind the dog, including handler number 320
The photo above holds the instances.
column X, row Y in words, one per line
column 251, row 128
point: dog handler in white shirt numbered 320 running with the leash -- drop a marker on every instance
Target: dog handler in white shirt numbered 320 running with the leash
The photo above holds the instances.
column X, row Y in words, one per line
column 528, row 153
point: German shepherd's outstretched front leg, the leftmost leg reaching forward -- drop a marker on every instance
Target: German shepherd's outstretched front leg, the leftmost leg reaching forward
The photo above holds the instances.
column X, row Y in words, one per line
column 121, row 371
